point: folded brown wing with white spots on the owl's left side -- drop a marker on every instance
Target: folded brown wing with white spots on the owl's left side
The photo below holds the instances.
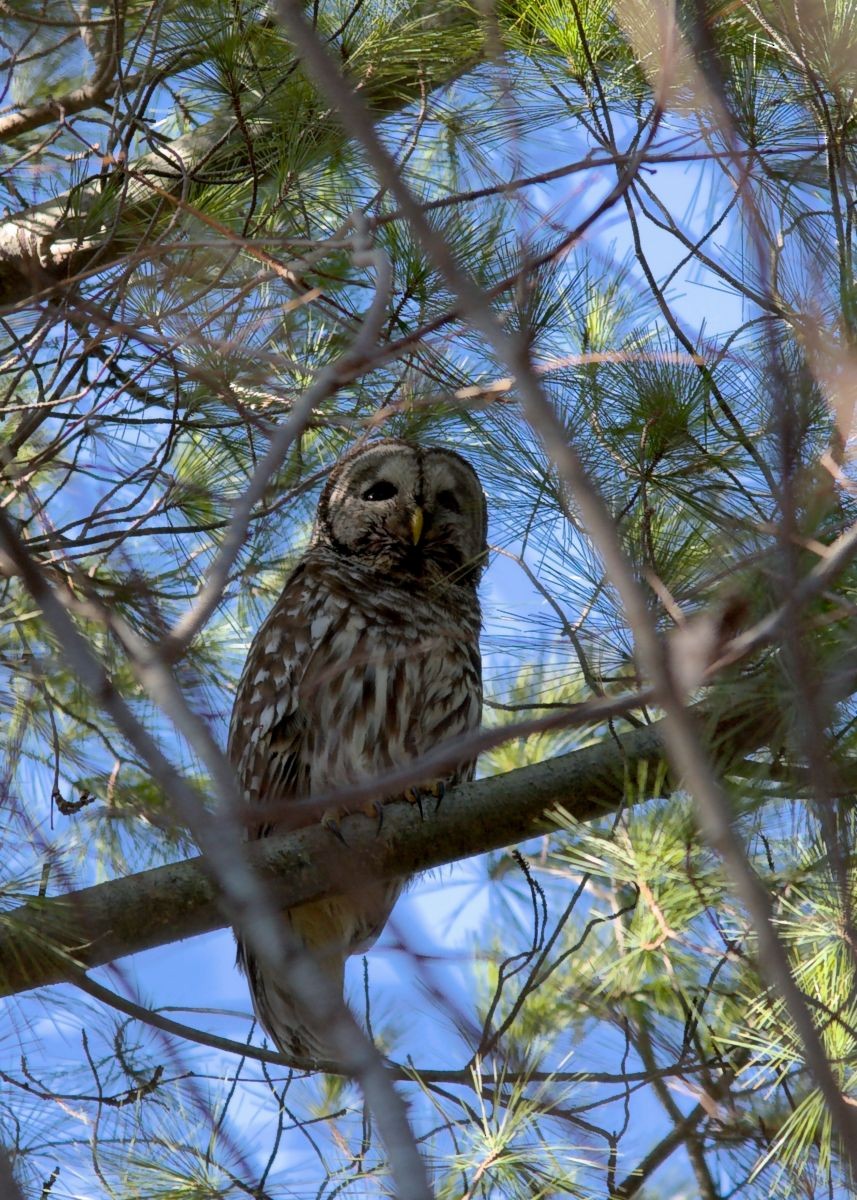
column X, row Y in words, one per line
column 267, row 728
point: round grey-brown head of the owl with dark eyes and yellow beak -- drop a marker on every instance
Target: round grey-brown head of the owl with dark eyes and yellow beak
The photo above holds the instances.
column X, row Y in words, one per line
column 413, row 513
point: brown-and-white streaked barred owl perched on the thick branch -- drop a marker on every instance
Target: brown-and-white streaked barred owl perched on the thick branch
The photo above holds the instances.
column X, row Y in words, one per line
column 368, row 661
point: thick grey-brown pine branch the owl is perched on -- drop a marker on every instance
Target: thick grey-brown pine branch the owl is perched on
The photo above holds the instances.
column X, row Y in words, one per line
column 50, row 940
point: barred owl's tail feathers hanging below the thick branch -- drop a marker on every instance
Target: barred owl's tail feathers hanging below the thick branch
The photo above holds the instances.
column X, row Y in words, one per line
column 298, row 1037
